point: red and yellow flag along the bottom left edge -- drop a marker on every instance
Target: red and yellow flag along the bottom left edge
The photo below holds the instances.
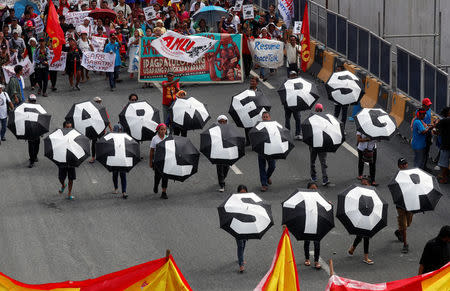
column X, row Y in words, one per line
column 160, row 275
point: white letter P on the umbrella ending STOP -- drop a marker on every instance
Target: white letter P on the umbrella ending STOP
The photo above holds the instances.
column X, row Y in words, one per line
column 412, row 191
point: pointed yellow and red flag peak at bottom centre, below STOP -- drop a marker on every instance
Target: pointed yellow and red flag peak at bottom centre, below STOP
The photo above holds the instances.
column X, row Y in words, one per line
column 282, row 274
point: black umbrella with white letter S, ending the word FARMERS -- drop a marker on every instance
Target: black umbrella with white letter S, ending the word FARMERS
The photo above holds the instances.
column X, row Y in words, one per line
column 344, row 88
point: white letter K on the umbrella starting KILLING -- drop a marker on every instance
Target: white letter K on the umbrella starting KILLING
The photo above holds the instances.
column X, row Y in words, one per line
column 62, row 143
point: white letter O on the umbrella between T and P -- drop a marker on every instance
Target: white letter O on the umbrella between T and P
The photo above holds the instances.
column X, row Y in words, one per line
column 354, row 214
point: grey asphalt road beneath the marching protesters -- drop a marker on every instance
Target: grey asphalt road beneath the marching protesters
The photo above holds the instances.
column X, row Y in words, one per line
column 45, row 238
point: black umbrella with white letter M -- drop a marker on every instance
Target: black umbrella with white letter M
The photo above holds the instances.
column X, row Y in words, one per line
column 188, row 113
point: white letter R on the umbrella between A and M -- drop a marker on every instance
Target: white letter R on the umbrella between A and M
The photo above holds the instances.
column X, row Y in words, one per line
column 137, row 122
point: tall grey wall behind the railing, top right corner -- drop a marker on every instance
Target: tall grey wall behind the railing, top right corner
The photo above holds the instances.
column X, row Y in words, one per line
column 402, row 17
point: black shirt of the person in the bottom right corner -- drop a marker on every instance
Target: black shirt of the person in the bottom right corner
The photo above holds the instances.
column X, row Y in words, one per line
column 435, row 255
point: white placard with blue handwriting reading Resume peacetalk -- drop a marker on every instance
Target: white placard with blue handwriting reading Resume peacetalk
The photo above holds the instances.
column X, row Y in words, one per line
column 267, row 53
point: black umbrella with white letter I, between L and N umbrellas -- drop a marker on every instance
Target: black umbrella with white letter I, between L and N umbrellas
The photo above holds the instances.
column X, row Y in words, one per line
column 271, row 139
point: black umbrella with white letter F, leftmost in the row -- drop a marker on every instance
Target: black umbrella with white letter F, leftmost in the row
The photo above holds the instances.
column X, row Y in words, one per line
column 29, row 121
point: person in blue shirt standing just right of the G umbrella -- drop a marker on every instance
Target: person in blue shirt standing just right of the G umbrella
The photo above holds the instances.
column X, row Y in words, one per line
column 420, row 130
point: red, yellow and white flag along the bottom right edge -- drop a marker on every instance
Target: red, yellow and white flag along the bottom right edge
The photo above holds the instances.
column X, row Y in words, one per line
column 438, row 280
